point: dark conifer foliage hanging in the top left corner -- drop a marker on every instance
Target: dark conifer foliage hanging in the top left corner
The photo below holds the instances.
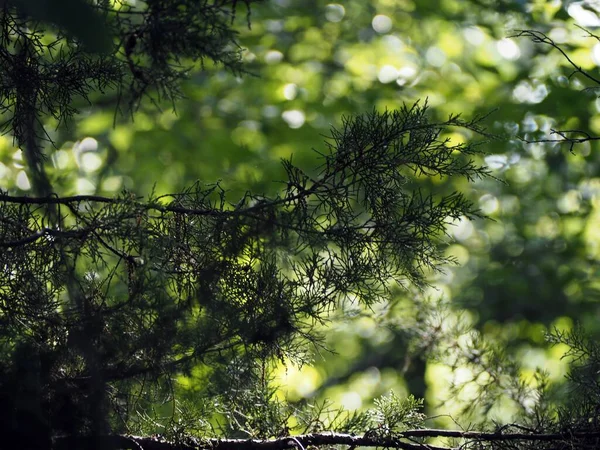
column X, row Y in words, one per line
column 43, row 72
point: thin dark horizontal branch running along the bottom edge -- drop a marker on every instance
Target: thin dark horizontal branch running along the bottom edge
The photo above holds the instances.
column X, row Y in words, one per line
column 406, row 440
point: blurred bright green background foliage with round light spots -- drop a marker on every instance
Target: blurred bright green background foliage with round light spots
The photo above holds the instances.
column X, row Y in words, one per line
column 529, row 271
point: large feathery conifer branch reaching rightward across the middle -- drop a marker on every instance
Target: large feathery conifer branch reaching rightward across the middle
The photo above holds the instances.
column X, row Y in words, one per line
column 192, row 279
